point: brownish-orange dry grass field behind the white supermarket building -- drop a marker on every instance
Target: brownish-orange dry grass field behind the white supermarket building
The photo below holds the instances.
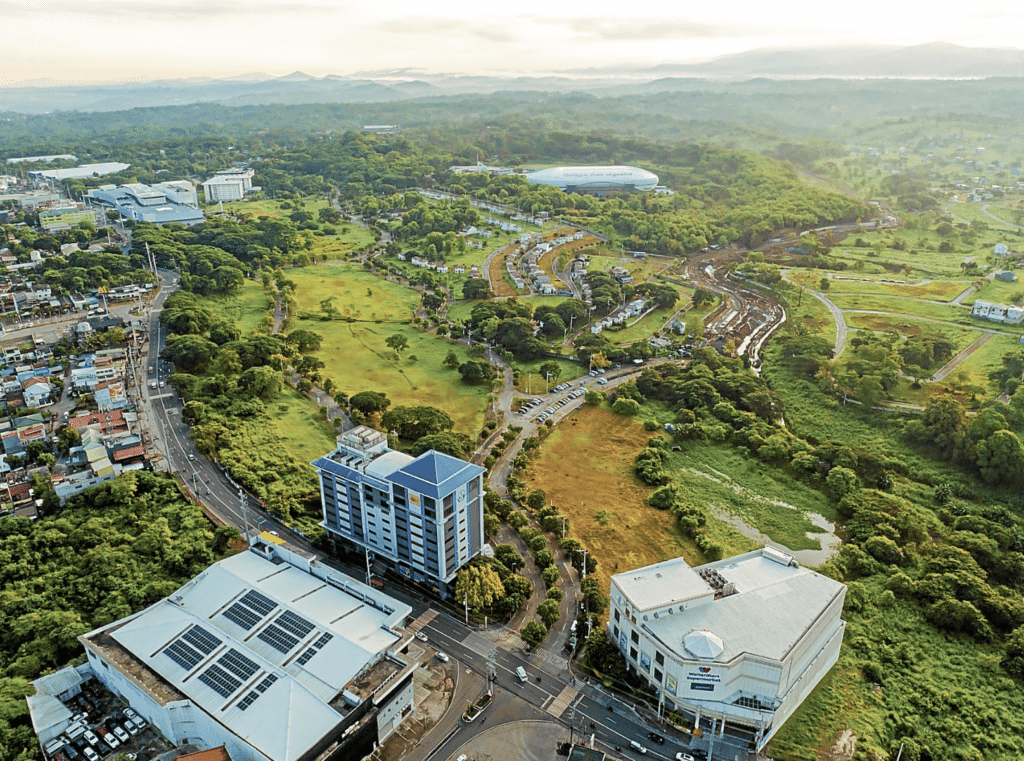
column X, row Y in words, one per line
column 587, row 471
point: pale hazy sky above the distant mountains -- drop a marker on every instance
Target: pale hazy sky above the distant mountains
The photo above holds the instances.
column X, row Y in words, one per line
column 114, row 40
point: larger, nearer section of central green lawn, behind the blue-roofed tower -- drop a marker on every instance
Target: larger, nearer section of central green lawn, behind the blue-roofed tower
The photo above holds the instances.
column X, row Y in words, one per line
column 357, row 358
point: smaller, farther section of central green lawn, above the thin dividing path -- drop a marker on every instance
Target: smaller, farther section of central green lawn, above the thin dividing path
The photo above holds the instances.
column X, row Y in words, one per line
column 357, row 294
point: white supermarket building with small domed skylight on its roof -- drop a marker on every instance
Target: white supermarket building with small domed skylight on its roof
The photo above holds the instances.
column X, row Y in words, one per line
column 740, row 642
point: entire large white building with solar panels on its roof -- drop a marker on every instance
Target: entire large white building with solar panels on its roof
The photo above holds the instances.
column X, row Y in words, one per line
column 268, row 653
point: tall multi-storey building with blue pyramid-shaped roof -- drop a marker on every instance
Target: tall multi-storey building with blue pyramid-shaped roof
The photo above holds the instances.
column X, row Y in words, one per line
column 423, row 516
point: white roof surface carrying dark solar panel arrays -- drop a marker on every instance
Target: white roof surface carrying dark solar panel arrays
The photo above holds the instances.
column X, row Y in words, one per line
column 291, row 714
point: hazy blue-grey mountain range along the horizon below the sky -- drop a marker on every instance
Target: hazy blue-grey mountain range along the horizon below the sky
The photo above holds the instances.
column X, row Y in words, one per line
column 933, row 61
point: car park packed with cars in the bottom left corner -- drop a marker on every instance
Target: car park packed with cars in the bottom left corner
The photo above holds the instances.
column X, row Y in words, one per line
column 101, row 727
